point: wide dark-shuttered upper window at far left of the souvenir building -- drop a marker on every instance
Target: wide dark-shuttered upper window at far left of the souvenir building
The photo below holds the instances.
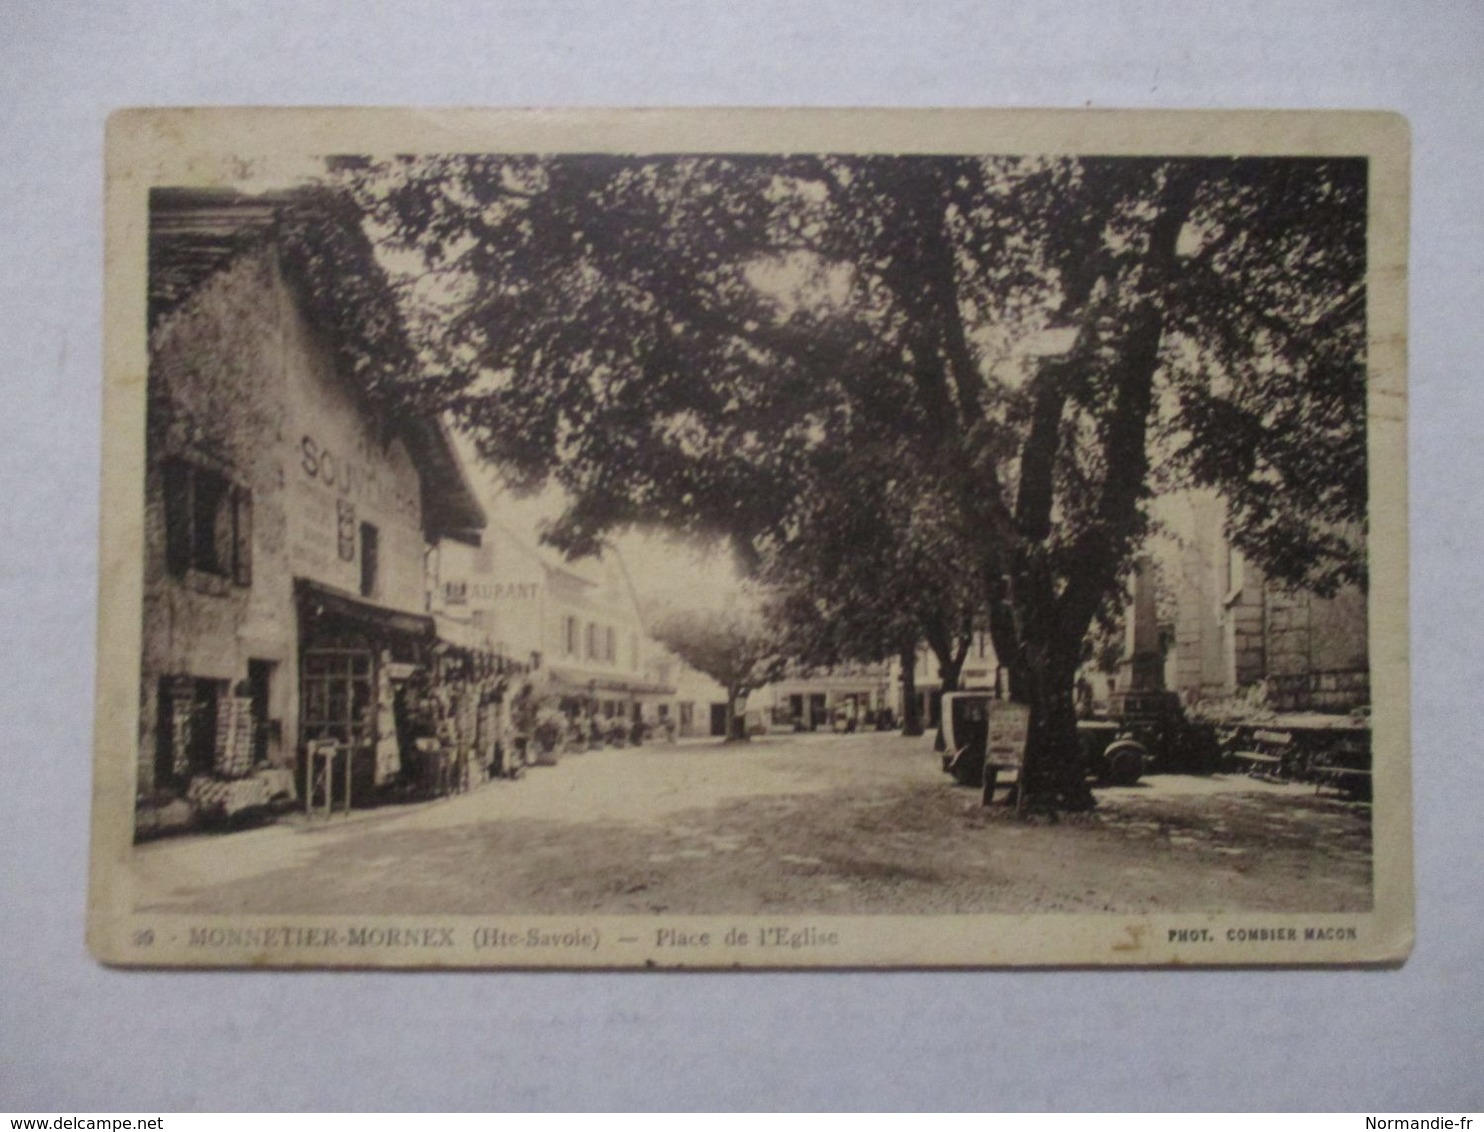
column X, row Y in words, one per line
column 209, row 524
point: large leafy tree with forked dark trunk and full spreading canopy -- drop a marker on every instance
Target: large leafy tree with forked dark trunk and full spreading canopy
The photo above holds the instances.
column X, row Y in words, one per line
column 689, row 340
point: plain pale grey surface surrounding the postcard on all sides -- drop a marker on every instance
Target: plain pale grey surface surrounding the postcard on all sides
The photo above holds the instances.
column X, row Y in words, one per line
column 76, row 1038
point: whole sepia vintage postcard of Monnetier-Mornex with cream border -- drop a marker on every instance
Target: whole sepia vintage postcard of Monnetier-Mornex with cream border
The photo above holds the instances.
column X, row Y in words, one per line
column 753, row 539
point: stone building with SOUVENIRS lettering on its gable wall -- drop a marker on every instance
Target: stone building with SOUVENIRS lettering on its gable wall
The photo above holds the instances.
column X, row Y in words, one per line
column 290, row 502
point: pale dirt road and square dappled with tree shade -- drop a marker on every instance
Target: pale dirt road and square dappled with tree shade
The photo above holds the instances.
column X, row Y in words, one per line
column 820, row 824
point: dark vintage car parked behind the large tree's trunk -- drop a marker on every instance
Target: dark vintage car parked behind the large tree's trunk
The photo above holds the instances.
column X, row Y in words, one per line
column 1109, row 753
